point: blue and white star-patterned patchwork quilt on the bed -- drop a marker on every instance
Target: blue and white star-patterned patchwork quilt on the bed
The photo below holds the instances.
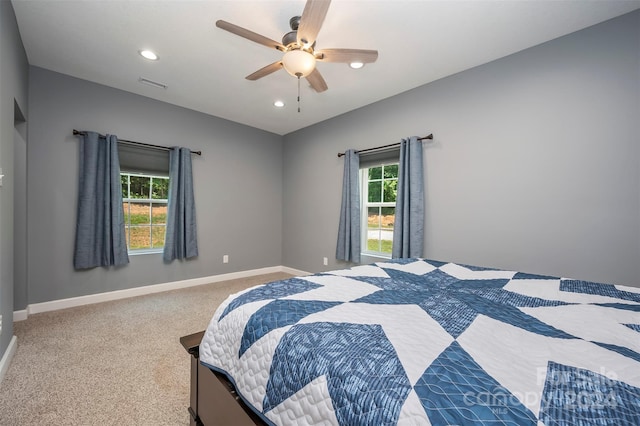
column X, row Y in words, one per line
column 419, row 342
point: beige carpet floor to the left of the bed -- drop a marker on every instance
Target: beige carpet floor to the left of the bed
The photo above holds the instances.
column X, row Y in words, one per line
column 113, row 363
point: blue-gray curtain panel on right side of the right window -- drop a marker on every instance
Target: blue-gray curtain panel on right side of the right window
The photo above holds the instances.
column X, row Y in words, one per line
column 408, row 232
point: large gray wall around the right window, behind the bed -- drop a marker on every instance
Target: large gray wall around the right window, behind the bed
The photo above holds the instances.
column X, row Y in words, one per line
column 535, row 164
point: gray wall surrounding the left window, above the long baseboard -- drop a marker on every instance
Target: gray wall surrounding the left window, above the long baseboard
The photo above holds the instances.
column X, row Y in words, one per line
column 238, row 186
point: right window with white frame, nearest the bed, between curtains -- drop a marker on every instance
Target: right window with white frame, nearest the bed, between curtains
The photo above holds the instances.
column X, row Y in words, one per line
column 379, row 188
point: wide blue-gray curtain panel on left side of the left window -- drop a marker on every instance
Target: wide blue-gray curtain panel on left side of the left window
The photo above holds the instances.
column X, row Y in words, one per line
column 100, row 236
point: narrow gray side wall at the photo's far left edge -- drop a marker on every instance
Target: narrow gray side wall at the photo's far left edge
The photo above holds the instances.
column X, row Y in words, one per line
column 13, row 95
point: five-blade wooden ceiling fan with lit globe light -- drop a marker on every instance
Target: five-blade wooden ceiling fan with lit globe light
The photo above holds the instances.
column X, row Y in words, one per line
column 298, row 45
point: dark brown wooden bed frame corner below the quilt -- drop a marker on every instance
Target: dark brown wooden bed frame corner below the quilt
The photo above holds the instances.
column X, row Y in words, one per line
column 213, row 399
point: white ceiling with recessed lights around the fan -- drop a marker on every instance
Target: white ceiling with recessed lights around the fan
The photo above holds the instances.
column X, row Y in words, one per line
column 204, row 66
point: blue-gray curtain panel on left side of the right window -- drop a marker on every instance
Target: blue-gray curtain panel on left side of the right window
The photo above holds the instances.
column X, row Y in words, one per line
column 348, row 247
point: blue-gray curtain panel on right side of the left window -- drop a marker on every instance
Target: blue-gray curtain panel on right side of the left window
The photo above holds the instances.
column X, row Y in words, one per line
column 180, row 240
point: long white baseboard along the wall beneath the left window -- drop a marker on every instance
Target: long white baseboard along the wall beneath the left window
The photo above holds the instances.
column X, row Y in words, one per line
column 55, row 305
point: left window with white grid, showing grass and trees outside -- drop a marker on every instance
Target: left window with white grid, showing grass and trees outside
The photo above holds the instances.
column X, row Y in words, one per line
column 144, row 199
